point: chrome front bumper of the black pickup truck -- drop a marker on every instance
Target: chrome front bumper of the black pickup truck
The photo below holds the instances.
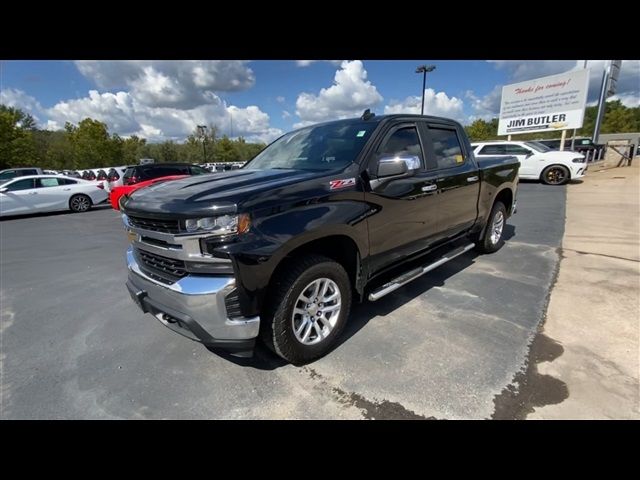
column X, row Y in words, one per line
column 194, row 306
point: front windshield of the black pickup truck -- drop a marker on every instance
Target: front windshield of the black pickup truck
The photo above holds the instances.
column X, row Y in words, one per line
column 321, row 147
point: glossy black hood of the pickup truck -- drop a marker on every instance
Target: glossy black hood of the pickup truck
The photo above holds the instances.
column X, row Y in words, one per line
column 216, row 192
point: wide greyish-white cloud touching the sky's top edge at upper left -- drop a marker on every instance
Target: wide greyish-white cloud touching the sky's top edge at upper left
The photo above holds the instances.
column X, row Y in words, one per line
column 169, row 83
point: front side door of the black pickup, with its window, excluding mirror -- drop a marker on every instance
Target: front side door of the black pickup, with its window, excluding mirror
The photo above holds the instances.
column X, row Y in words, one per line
column 406, row 206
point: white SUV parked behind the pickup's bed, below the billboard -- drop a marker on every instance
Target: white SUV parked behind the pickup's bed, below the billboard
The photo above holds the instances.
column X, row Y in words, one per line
column 537, row 161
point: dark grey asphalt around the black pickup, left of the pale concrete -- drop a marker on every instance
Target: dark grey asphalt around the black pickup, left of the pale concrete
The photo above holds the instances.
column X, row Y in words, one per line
column 445, row 346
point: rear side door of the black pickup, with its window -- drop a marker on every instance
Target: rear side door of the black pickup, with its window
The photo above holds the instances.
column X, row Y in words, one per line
column 457, row 178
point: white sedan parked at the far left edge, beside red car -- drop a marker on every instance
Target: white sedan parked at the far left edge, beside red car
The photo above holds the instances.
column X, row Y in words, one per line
column 48, row 193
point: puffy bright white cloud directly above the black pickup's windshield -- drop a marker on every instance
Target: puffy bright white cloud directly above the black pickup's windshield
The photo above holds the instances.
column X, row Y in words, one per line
column 350, row 94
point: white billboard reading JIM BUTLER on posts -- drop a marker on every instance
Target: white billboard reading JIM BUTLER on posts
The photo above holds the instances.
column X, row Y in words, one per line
column 550, row 103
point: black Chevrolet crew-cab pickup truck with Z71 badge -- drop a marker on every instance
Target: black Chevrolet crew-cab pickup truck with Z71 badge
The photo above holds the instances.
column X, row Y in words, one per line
column 345, row 210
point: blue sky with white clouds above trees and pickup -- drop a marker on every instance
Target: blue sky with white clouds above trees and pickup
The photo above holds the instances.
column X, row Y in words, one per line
column 260, row 100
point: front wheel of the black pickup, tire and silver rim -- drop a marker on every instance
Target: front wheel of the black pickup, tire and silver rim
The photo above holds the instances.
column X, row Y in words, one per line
column 286, row 313
